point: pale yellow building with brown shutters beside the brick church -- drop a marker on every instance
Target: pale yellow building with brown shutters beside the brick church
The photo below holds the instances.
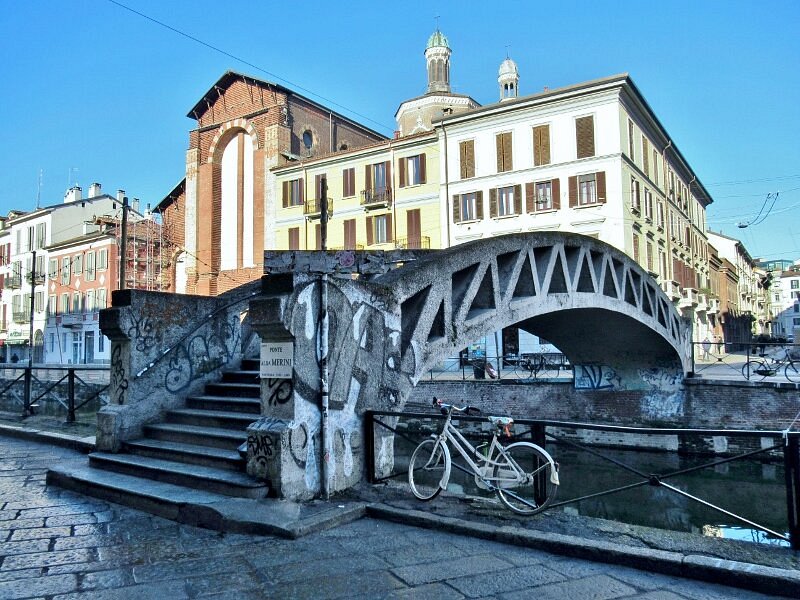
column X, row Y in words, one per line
column 379, row 197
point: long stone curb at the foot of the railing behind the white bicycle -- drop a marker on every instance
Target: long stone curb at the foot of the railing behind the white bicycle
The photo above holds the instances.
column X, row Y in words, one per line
column 769, row 580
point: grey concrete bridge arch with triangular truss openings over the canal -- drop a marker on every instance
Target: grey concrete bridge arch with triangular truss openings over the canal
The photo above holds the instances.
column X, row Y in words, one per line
column 592, row 301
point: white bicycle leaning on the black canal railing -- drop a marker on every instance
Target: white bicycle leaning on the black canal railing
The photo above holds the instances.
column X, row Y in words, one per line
column 523, row 475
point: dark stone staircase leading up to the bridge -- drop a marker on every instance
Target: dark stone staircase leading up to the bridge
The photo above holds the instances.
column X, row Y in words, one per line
column 194, row 448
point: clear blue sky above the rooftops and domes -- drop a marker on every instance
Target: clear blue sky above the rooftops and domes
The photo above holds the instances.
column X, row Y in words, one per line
column 93, row 92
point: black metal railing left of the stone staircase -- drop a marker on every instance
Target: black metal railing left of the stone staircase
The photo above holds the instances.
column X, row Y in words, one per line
column 47, row 380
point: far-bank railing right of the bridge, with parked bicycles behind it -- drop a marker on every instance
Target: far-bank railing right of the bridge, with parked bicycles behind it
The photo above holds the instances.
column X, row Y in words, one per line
column 773, row 362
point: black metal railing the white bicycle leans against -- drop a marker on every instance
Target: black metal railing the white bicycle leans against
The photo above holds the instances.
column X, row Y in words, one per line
column 784, row 444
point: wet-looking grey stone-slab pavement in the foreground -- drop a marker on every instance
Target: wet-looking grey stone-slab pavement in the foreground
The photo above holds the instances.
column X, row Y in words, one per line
column 57, row 544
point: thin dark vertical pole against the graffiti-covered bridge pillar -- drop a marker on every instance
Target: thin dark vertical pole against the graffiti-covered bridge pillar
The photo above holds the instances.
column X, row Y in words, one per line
column 323, row 345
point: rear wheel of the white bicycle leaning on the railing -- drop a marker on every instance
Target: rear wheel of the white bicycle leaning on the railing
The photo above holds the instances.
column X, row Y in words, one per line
column 527, row 482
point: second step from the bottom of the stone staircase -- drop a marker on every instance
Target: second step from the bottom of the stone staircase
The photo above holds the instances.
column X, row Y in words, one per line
column 218, row 481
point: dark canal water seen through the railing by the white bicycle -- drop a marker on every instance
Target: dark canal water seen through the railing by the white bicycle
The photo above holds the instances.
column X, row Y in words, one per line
column 748, row 488
